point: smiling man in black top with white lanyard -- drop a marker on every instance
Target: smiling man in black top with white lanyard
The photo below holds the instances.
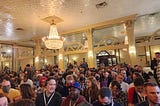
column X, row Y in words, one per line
column 50, row 97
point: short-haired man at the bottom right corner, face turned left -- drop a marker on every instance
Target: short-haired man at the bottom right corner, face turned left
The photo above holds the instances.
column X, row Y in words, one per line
column 153, row 95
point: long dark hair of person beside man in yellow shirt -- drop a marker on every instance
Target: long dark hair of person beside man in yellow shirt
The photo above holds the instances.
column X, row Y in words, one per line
column 26, row 91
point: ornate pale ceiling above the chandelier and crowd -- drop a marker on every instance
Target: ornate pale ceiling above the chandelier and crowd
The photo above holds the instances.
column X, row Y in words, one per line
column 22, row 19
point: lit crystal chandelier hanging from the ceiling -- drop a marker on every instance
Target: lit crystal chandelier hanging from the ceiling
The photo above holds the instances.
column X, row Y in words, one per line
column 53, row 41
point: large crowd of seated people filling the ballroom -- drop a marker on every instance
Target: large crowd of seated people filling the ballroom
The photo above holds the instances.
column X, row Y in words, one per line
column 78, row 85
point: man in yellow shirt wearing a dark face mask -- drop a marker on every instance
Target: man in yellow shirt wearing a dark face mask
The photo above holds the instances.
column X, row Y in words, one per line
column 9, row 92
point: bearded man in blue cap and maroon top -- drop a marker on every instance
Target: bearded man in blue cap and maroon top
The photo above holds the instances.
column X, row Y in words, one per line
column 74, row 98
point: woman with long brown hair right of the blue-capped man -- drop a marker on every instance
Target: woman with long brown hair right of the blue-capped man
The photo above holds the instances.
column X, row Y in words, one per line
column 90, row 92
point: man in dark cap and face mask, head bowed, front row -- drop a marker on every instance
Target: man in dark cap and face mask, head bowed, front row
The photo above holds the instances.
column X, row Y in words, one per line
column 105, row 98
